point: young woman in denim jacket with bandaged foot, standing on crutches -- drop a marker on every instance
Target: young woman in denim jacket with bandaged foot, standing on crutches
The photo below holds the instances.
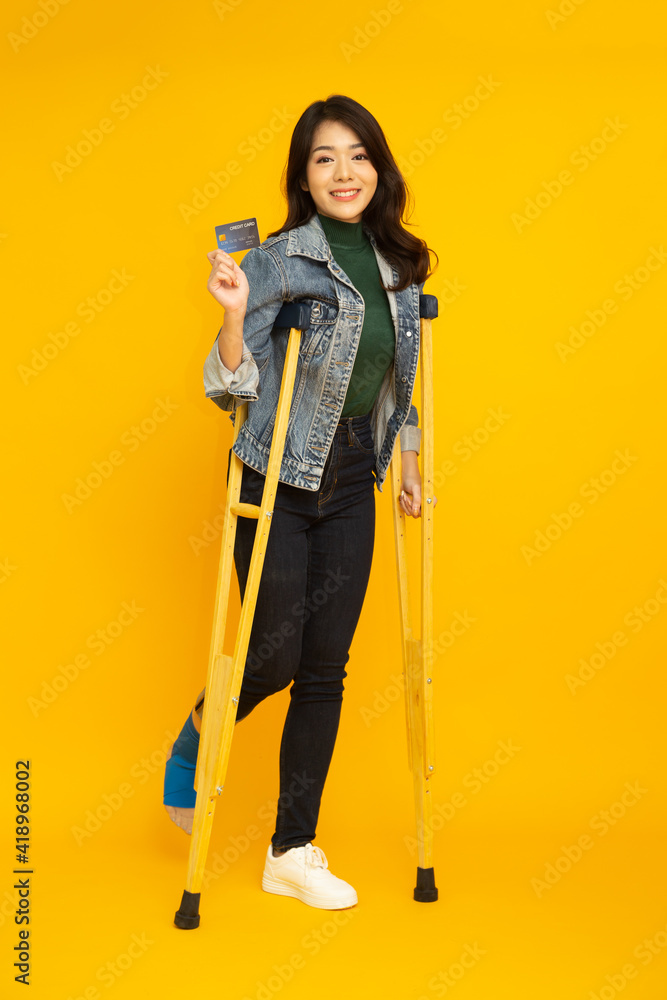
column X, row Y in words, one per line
column 342, row 250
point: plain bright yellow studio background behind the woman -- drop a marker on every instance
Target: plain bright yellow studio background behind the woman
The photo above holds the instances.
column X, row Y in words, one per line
column 520, row 289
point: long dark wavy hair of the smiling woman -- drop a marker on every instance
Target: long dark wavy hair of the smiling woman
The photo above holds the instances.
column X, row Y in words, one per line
column 385, row 213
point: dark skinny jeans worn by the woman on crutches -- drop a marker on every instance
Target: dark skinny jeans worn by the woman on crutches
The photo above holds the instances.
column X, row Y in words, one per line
column 314, row 579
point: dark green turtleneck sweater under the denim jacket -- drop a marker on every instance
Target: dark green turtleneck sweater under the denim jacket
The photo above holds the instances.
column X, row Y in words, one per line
column 352, row 250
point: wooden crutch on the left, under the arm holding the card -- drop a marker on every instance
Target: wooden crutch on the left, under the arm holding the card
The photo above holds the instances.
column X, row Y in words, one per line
column 225, row 673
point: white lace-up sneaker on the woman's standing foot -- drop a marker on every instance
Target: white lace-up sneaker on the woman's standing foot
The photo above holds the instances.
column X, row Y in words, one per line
column 303, row 872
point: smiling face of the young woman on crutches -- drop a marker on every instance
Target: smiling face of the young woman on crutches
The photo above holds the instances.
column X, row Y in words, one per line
column 343, row 166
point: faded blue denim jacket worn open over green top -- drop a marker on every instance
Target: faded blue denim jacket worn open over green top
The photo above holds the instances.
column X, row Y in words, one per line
column 297, row 265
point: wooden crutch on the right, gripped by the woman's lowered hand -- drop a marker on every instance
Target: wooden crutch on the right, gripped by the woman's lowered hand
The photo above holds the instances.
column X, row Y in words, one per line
column 418, row 652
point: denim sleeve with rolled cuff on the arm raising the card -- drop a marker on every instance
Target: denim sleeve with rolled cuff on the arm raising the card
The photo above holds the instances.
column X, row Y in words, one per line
column 267, row 291
